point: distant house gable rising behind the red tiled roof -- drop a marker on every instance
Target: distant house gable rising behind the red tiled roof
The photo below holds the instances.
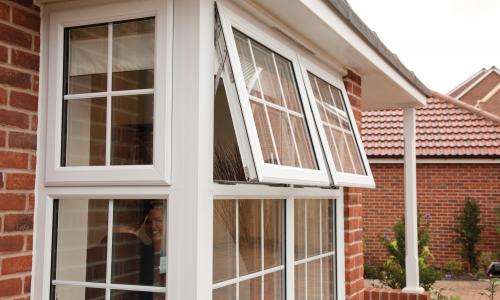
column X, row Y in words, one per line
column 482, row 90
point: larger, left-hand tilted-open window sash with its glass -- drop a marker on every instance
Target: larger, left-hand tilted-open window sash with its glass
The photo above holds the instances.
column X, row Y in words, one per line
column 286, row 151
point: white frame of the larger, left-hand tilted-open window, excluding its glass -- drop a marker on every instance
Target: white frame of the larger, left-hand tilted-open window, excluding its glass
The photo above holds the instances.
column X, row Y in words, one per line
column 268, row 173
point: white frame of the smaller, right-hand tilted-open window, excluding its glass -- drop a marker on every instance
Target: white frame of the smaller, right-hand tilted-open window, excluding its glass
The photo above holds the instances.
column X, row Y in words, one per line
column 333, row 78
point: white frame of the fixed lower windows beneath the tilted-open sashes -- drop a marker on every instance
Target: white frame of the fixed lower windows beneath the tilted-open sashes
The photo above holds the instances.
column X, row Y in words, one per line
column 290, row 194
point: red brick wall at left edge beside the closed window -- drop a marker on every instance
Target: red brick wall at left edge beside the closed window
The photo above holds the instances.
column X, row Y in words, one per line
column 19, row 47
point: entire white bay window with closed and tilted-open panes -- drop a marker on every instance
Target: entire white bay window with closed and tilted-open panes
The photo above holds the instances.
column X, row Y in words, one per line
column 284, row 141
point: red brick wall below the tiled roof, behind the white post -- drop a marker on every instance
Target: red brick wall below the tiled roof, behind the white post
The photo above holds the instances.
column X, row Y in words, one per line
column 441, row 193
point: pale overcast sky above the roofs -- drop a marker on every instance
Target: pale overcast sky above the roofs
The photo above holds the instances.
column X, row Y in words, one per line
column 443, row 41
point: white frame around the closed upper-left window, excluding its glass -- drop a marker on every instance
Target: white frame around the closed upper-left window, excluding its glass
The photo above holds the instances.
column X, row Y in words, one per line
column 159, row 171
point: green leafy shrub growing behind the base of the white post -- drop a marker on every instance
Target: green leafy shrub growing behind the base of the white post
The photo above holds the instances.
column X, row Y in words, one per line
column 393, row 271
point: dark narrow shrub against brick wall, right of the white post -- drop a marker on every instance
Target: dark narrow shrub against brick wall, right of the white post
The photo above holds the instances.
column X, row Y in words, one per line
column 469, row 231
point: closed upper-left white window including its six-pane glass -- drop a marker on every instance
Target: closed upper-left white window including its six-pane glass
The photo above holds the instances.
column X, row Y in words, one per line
column 108, row 95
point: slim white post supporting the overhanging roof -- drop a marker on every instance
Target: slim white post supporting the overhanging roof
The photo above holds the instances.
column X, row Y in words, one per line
column 411, row 231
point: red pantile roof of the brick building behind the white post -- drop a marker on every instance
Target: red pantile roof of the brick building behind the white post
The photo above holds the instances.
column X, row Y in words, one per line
column 445, row 127
